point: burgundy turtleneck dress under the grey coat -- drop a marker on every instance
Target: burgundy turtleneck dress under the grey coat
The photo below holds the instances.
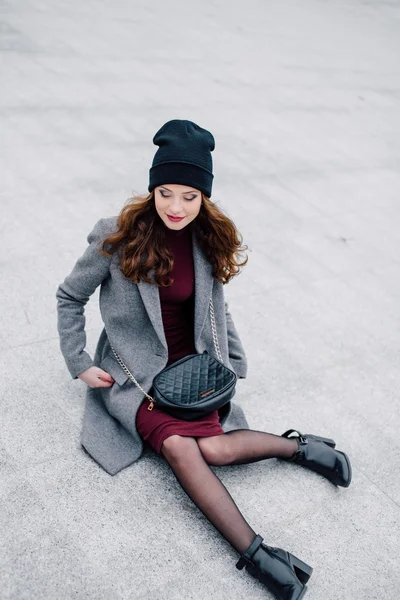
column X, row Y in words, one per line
column 177, row 308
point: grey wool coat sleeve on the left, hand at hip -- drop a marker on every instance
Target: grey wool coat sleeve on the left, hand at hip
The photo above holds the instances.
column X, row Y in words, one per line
column 72, row 295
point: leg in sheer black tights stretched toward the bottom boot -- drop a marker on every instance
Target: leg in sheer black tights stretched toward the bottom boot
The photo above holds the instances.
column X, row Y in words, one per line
column 206, row 490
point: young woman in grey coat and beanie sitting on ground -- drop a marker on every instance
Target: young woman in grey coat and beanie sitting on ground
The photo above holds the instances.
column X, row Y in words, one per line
column 158, row 265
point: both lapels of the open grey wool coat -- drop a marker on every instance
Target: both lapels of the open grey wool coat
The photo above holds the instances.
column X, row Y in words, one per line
column 203, row 288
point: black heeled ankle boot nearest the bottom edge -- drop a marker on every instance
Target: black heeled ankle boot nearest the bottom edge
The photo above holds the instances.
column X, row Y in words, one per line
column 281, row 572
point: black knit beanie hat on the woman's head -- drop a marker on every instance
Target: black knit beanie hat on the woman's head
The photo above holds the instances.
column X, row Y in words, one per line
column 184, row 156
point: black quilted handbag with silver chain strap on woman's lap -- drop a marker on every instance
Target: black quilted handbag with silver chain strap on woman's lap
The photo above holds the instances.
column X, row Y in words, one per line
column 193, row 386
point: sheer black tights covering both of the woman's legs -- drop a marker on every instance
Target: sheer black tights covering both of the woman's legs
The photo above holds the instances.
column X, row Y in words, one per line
column 189, row 458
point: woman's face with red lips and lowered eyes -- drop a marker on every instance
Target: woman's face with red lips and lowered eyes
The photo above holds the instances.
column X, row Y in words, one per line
column 179, row 201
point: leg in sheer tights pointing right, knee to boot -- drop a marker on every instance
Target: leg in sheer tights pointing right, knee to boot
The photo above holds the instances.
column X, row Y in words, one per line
column 245, row 446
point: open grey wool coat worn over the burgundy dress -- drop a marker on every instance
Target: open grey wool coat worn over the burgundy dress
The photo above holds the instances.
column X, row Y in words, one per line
column 133, row 325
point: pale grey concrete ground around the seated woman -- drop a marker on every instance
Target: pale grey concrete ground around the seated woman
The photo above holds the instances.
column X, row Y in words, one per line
column 303, row 99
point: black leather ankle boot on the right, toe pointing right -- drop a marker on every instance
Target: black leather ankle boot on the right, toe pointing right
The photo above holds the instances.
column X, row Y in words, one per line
column 318, row 454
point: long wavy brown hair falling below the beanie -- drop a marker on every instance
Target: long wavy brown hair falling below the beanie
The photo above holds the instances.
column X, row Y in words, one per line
column 140, row 241
